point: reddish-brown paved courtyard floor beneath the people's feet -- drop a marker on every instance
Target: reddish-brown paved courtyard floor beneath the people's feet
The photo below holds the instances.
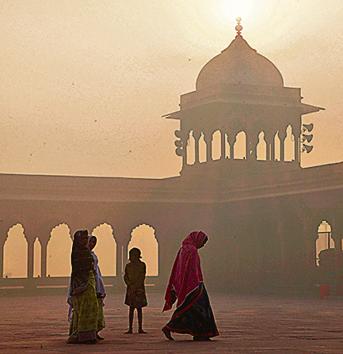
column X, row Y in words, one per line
column 248, row 324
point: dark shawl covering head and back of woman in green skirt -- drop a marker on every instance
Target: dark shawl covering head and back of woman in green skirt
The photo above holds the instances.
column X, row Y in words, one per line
column 81, row 262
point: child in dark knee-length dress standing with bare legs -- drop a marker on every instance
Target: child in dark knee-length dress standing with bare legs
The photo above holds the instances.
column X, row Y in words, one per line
column 135, row 293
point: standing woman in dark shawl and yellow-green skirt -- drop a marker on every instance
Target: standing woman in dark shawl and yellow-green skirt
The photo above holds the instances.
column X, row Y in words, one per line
column 84, row 323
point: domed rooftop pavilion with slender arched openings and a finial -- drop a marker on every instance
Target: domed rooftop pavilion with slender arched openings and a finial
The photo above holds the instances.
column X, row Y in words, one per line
column 240, row 91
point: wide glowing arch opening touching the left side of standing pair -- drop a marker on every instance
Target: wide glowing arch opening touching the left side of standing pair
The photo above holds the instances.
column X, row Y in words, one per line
column 58, row 252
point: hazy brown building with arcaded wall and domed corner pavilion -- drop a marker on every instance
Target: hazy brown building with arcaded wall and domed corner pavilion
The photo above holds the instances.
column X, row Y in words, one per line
column 239, row 183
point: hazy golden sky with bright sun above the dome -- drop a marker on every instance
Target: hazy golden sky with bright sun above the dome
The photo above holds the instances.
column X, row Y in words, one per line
column 83, row 84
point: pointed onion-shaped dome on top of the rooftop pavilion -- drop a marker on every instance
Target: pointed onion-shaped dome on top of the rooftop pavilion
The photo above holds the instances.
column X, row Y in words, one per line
column 239, row 64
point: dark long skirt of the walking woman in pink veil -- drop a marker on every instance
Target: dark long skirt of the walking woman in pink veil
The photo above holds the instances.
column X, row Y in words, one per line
column 194, row 316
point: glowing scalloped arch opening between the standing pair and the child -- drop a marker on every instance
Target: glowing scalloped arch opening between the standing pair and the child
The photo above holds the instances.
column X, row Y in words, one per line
column 106, row 249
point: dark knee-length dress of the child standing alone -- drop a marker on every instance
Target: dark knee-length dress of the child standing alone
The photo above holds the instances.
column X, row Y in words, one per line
column 134, row 279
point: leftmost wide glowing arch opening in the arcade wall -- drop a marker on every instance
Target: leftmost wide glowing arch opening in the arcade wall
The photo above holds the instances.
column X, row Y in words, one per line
column 15, row 253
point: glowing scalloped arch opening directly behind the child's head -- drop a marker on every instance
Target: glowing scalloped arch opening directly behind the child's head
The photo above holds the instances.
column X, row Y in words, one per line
column 143, row 237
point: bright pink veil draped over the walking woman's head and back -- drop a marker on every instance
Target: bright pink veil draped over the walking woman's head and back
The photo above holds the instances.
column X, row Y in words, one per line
column 186, row 274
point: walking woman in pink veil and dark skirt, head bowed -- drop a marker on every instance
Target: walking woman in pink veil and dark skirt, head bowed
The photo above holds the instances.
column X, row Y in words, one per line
column 193, row 314
